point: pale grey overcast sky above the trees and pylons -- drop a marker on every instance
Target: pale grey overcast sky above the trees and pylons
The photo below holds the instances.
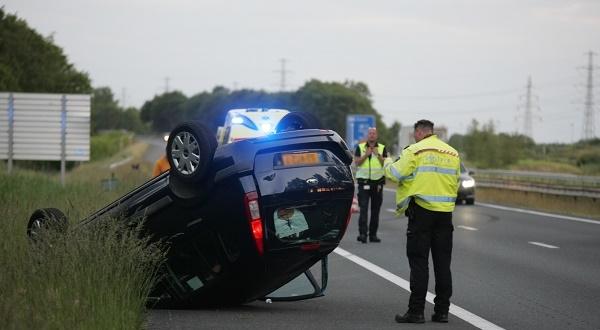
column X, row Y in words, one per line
column 448, row 61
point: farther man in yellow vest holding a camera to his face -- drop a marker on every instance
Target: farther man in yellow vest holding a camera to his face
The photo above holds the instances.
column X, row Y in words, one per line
column 369, row 159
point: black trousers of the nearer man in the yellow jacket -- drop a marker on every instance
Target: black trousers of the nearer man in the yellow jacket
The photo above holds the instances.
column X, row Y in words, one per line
column 429, row 230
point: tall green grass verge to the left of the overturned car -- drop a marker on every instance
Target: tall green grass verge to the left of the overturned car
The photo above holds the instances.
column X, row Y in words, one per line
column 92, row 279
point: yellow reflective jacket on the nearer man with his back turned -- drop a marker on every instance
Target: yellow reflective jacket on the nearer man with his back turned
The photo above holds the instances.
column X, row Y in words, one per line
column 427, row 171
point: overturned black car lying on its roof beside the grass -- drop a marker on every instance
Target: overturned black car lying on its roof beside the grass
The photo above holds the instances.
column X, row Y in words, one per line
column 243, row 219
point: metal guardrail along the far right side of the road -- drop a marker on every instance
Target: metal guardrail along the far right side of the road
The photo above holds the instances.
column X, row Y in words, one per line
column 541, row 182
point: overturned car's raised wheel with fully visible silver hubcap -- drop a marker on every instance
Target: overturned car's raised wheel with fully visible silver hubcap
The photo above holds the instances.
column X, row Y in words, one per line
column 190, row 150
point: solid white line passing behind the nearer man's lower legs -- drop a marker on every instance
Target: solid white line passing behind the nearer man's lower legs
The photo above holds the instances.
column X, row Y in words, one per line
column 404, row 284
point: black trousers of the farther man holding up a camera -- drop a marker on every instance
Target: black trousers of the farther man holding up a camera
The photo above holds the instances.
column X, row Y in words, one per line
column 374, row 192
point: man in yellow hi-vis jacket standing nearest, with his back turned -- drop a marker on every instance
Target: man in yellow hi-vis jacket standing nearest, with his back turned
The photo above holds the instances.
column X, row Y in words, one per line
column 427, row 173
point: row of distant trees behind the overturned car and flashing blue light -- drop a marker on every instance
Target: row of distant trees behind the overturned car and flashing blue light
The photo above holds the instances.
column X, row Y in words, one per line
column 329, row 101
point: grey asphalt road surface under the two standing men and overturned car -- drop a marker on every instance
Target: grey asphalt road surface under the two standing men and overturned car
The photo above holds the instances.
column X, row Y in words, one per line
column 511, row 270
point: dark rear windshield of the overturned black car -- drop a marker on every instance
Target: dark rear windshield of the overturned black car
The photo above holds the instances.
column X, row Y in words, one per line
column 294, row 224
